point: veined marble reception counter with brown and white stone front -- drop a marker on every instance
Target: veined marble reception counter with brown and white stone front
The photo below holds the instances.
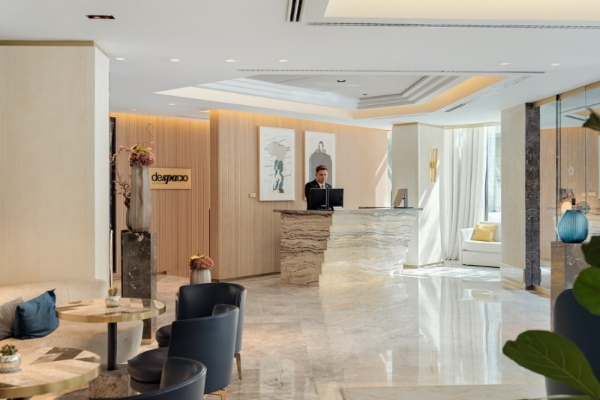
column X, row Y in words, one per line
column 321, row 248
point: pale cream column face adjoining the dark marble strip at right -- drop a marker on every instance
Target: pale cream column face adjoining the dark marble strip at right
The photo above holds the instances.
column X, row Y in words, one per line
column 513, row 194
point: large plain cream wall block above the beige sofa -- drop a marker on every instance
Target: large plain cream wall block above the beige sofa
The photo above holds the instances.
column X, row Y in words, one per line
column 56, row 152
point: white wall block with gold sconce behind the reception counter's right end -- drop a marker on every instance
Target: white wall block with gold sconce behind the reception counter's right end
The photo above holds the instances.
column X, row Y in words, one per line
column 411, row 150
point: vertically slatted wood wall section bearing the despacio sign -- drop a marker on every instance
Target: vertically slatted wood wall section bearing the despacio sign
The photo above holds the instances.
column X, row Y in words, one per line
column 179, row 216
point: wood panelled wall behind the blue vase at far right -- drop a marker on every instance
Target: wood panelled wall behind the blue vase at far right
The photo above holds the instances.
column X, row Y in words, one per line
column 573, row 154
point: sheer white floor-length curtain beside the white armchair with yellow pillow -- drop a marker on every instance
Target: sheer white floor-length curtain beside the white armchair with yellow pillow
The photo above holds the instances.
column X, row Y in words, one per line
column 462, row 184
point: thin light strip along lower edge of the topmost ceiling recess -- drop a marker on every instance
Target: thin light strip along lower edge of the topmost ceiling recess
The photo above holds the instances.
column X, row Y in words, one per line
column 476, row 26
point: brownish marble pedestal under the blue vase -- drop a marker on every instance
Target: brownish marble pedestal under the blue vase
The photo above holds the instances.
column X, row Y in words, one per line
column 567, row 262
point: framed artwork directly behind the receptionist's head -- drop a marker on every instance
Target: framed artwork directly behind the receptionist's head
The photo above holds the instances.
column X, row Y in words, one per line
column 319, row 149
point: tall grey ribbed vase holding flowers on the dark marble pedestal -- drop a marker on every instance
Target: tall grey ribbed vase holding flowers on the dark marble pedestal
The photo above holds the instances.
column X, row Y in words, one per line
column 140, row 206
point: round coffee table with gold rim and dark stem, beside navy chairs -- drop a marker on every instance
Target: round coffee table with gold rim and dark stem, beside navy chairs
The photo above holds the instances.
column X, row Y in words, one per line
column 96, row 311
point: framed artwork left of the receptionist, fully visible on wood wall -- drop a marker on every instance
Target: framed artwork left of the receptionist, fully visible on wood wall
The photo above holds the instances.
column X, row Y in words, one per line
column 277, row 161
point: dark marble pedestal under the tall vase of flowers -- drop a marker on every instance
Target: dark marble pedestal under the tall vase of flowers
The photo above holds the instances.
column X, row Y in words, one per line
column 138, row 261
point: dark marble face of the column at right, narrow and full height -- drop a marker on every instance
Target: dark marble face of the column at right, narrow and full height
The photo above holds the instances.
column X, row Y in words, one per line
column 532, row 196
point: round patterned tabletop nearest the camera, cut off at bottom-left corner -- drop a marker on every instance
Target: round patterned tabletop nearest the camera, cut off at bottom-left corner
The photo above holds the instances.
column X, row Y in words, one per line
column 49, row 369
